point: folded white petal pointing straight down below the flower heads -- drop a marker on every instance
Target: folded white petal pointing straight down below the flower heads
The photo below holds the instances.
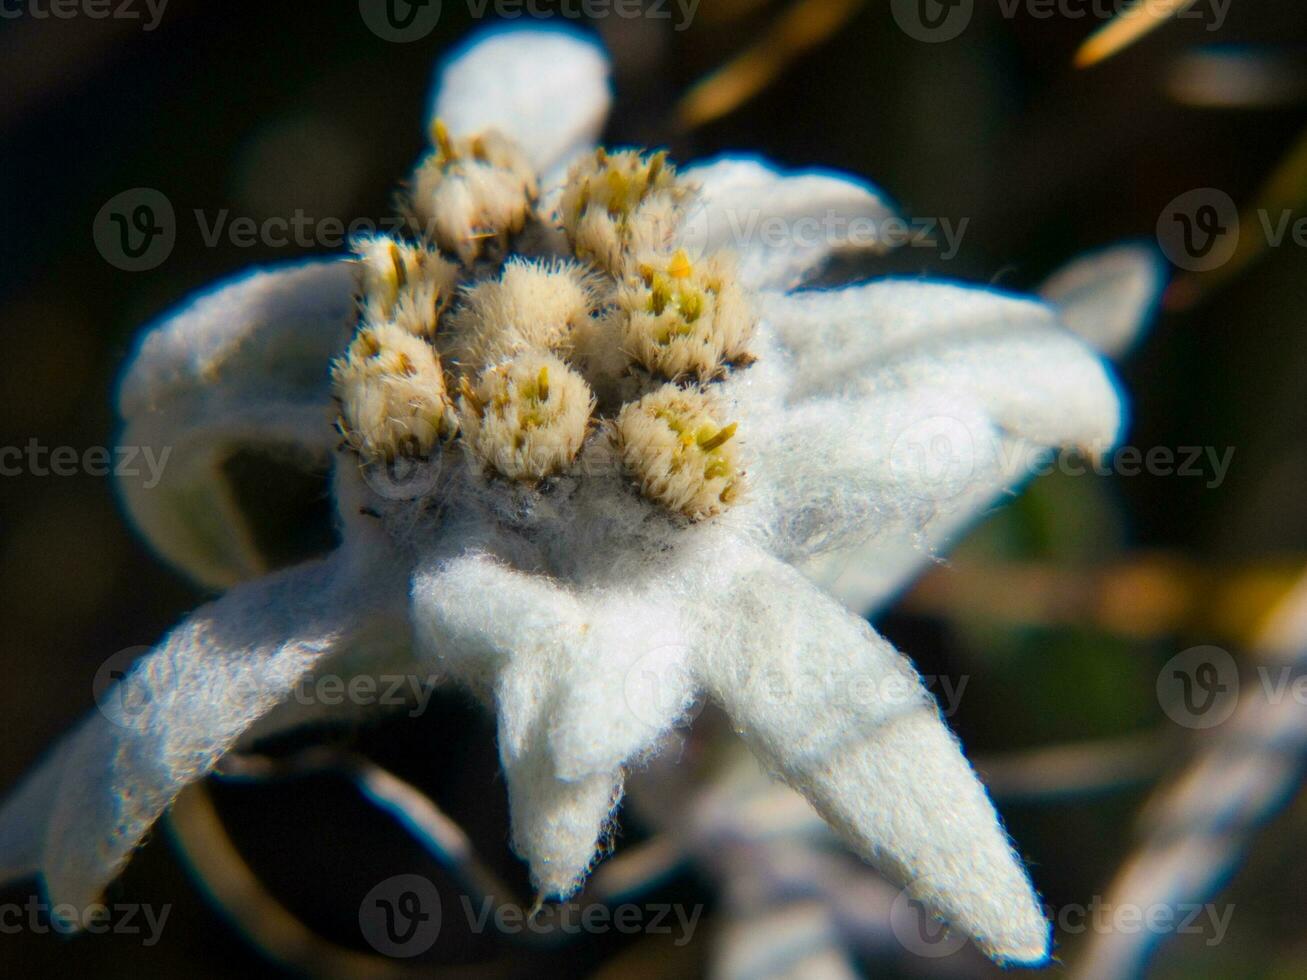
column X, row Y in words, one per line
column 581, row 683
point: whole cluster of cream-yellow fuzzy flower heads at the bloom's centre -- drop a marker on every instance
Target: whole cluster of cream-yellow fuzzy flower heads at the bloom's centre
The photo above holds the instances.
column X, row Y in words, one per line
column 516, row 333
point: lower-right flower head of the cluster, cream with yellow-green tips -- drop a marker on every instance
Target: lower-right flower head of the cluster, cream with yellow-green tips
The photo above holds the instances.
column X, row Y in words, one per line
column 682, row 455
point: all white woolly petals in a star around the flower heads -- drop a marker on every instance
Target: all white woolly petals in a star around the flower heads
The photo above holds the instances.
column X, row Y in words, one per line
column 595, row 624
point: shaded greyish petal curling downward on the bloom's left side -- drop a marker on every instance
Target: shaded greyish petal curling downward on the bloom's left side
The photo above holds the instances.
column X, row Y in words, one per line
column 242, row 365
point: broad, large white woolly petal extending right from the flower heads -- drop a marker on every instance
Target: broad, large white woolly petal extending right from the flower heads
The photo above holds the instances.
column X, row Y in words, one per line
column 916, row 406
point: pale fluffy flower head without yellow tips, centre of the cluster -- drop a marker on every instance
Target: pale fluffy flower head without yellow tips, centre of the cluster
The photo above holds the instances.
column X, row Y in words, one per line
column 533, row 306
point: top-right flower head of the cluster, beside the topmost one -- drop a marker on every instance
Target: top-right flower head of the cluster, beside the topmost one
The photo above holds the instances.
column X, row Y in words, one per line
column 615, row 203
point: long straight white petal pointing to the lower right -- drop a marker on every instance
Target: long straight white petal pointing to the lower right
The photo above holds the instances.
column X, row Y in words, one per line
column 841, row 717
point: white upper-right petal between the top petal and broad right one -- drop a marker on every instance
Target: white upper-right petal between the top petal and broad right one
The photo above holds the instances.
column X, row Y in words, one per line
column 781, row 225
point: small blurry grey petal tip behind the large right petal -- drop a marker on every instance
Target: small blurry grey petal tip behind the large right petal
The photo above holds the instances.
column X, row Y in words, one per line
column 1108, row 297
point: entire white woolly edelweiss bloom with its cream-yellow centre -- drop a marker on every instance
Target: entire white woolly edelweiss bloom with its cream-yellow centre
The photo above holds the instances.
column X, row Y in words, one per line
column 595, row 472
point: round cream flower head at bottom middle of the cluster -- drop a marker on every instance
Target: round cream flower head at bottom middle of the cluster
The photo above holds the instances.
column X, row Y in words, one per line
column 526, row 419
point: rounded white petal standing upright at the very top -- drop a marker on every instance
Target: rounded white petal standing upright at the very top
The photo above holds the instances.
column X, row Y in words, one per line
column 546, row 88
